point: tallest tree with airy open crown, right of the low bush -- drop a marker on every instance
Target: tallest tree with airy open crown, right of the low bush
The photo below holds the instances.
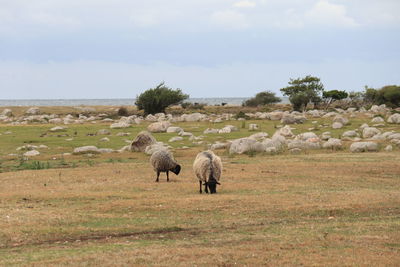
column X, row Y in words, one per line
column 302, row 91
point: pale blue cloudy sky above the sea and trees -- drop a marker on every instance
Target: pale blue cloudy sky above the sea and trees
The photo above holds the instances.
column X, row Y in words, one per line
column 55, row 49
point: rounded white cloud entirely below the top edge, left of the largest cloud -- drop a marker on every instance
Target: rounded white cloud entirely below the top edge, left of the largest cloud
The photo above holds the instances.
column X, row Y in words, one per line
column 230, row 19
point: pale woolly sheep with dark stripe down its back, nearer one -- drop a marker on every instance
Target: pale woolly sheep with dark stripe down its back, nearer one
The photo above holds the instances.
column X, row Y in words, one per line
column 208, row 168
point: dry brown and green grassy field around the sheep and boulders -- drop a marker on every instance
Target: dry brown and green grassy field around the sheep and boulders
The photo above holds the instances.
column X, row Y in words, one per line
column 317, row 208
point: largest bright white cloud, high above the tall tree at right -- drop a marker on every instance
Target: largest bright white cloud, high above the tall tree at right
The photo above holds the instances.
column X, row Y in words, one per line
column 325, row 13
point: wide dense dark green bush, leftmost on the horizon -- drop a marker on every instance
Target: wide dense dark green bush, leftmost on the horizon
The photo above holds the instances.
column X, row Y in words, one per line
column 157, row 99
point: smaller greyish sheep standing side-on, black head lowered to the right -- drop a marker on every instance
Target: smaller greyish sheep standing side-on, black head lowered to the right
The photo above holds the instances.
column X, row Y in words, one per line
column 163, row 161
